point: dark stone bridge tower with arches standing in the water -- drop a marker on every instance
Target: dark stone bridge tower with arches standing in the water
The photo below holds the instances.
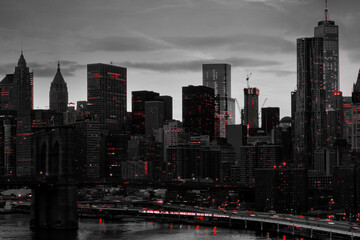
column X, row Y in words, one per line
column 54, row 194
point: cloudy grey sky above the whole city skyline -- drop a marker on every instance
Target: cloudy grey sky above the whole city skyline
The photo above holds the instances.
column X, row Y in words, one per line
column 163, row 43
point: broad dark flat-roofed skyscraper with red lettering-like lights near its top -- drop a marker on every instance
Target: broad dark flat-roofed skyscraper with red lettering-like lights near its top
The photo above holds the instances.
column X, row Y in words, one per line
column 107, row 95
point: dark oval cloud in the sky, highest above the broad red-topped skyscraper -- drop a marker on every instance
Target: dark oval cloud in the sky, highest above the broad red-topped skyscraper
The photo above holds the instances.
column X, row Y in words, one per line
column 124, row 44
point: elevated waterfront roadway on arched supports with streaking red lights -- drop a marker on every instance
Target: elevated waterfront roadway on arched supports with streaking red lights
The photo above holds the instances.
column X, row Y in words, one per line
column 326, row 226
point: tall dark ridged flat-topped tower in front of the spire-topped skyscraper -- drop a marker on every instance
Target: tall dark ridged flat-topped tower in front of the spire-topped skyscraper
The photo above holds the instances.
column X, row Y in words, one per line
column 310, row 118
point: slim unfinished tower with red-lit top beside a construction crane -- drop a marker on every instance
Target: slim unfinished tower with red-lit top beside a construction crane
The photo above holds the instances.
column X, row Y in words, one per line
column 251, row 107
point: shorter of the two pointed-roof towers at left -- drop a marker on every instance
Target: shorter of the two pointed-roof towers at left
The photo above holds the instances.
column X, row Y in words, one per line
column 58, row 95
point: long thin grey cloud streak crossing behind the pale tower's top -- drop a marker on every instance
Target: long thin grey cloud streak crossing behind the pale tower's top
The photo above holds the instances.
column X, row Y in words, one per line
column 195, row 65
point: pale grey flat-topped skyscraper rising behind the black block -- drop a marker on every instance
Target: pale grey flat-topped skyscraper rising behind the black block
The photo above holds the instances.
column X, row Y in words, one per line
column 218, row 77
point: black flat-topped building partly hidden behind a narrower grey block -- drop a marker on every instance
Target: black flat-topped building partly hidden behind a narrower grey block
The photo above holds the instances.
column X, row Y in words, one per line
column 138, row 110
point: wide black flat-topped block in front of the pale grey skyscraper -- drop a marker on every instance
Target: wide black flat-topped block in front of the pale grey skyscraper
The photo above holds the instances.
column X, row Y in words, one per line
column 198, row 110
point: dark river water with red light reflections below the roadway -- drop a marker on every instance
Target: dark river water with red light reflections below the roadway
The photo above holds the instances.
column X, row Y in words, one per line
column 16, row 226
